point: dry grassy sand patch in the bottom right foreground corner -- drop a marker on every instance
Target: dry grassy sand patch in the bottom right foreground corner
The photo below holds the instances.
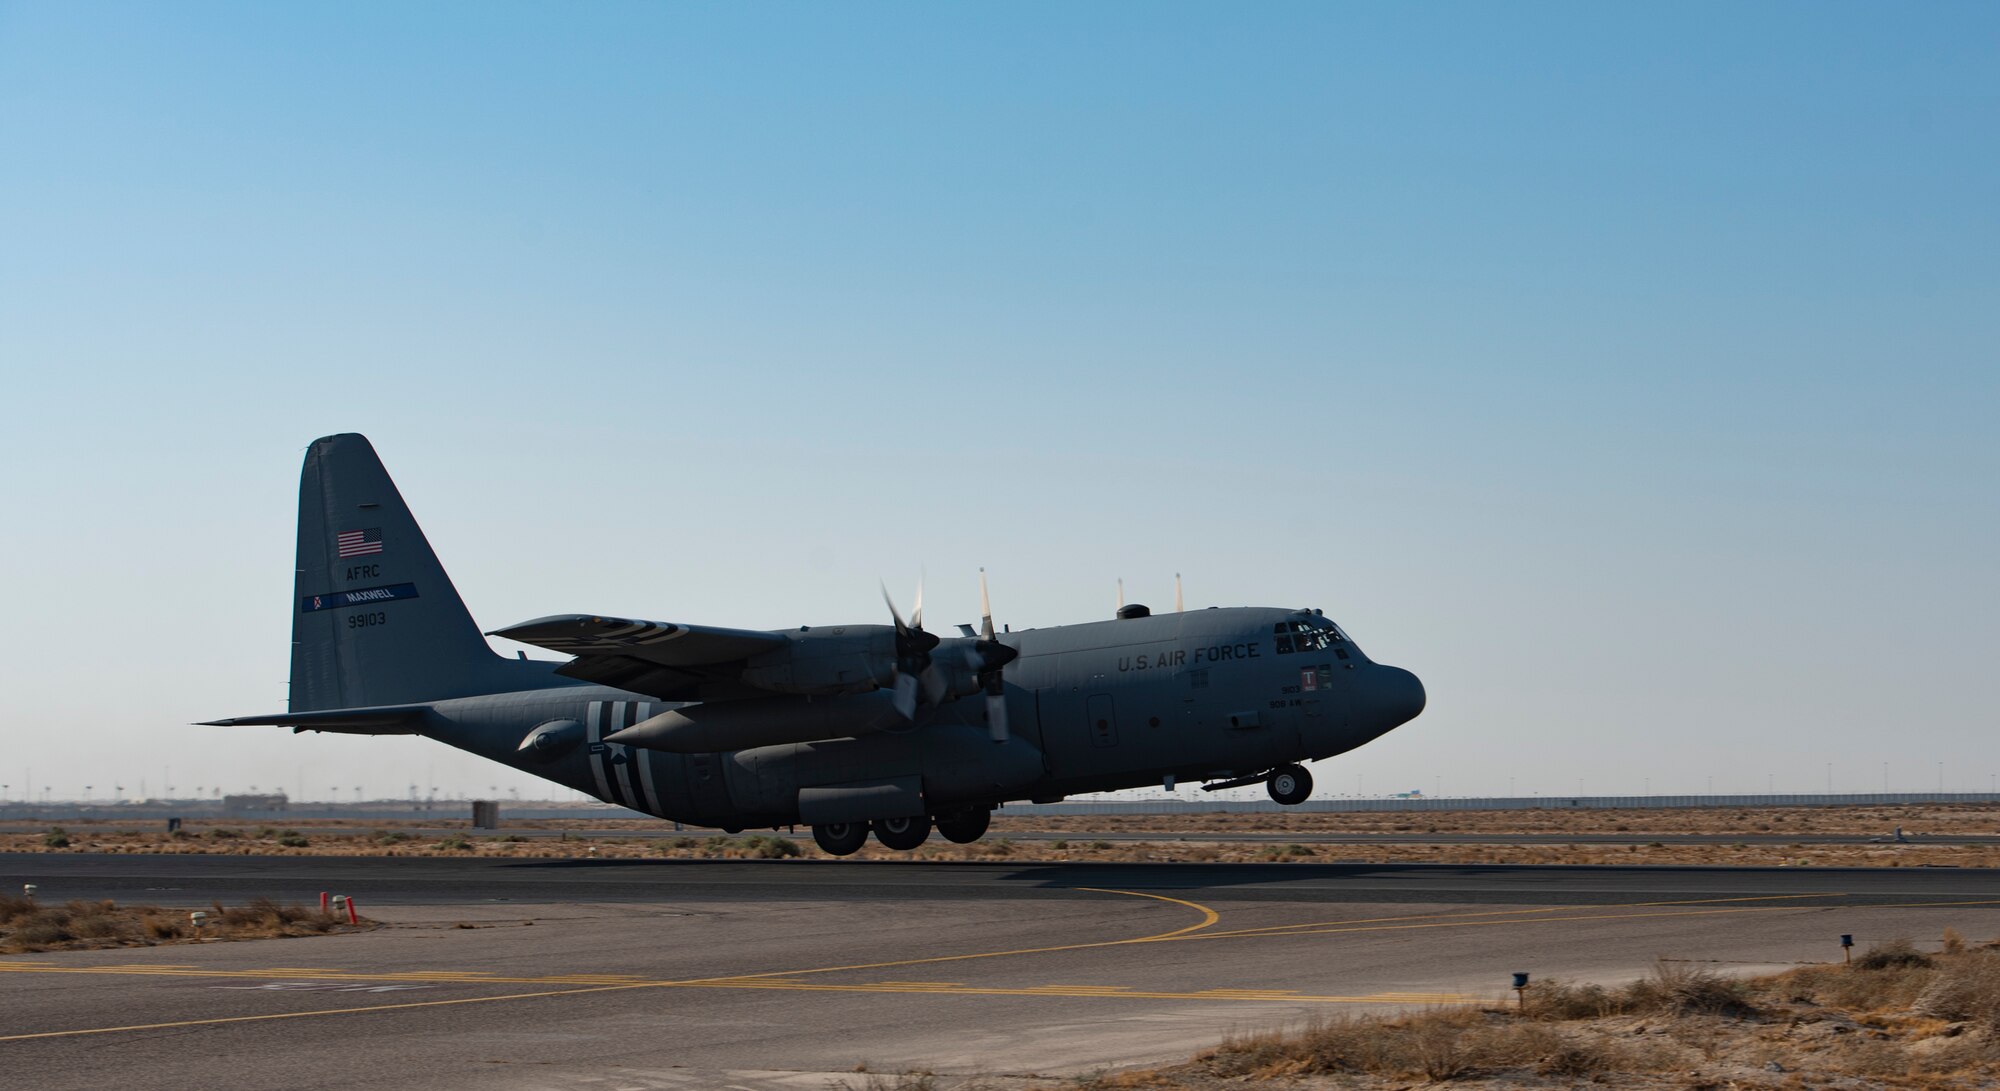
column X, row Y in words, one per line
column 1895, row 1018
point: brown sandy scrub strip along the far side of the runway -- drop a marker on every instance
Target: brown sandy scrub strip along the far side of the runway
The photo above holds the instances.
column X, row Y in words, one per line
column 609, row 838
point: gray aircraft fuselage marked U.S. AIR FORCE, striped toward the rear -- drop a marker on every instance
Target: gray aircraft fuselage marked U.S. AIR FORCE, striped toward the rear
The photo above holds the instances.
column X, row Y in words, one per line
column 1101, row 706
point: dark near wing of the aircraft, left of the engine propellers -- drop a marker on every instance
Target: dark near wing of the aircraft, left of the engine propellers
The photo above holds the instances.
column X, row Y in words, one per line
column 659, row 658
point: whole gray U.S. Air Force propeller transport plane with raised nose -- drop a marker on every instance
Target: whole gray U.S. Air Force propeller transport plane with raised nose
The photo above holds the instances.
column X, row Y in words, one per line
column 849, row 728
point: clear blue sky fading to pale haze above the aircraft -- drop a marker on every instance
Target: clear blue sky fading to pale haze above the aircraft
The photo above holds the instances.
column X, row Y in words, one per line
column 1625, row 371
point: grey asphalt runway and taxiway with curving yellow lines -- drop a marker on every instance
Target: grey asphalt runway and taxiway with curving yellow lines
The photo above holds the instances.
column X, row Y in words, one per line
column 791, row 974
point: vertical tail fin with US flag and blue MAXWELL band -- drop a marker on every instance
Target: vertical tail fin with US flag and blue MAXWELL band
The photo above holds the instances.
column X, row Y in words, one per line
column 375, row 618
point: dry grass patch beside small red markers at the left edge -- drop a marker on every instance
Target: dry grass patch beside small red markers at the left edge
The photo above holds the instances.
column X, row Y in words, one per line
column 31, row 926
